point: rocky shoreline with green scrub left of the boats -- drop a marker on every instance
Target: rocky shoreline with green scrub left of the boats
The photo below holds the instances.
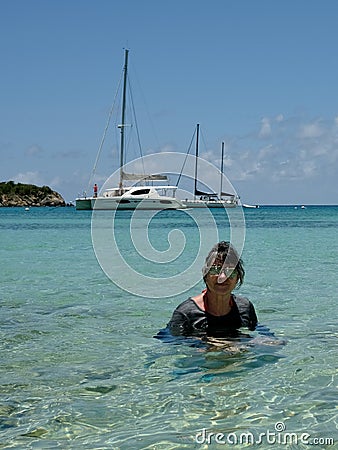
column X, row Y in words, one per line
column 26, row 195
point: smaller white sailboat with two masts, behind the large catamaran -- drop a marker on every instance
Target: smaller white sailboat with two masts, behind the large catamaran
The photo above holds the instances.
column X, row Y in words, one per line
column 210, row 199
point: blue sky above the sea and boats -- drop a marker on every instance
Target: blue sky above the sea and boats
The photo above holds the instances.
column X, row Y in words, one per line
column 259, row 75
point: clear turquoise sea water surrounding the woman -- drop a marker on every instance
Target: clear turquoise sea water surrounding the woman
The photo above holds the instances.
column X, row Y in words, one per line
column 80, row 367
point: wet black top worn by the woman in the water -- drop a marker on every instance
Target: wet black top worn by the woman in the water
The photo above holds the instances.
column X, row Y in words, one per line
column 190, row 320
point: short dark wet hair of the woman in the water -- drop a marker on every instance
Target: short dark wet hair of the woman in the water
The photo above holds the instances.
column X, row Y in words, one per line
column 224, row 253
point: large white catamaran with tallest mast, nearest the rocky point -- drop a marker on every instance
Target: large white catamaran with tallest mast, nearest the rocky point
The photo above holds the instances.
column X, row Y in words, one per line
column 141, row 195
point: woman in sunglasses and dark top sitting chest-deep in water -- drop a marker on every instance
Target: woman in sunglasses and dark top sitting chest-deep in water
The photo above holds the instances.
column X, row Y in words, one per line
column 216, row 311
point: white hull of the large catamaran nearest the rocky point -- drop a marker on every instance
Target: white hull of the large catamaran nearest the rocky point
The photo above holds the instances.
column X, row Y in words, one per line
column 112, row 204
